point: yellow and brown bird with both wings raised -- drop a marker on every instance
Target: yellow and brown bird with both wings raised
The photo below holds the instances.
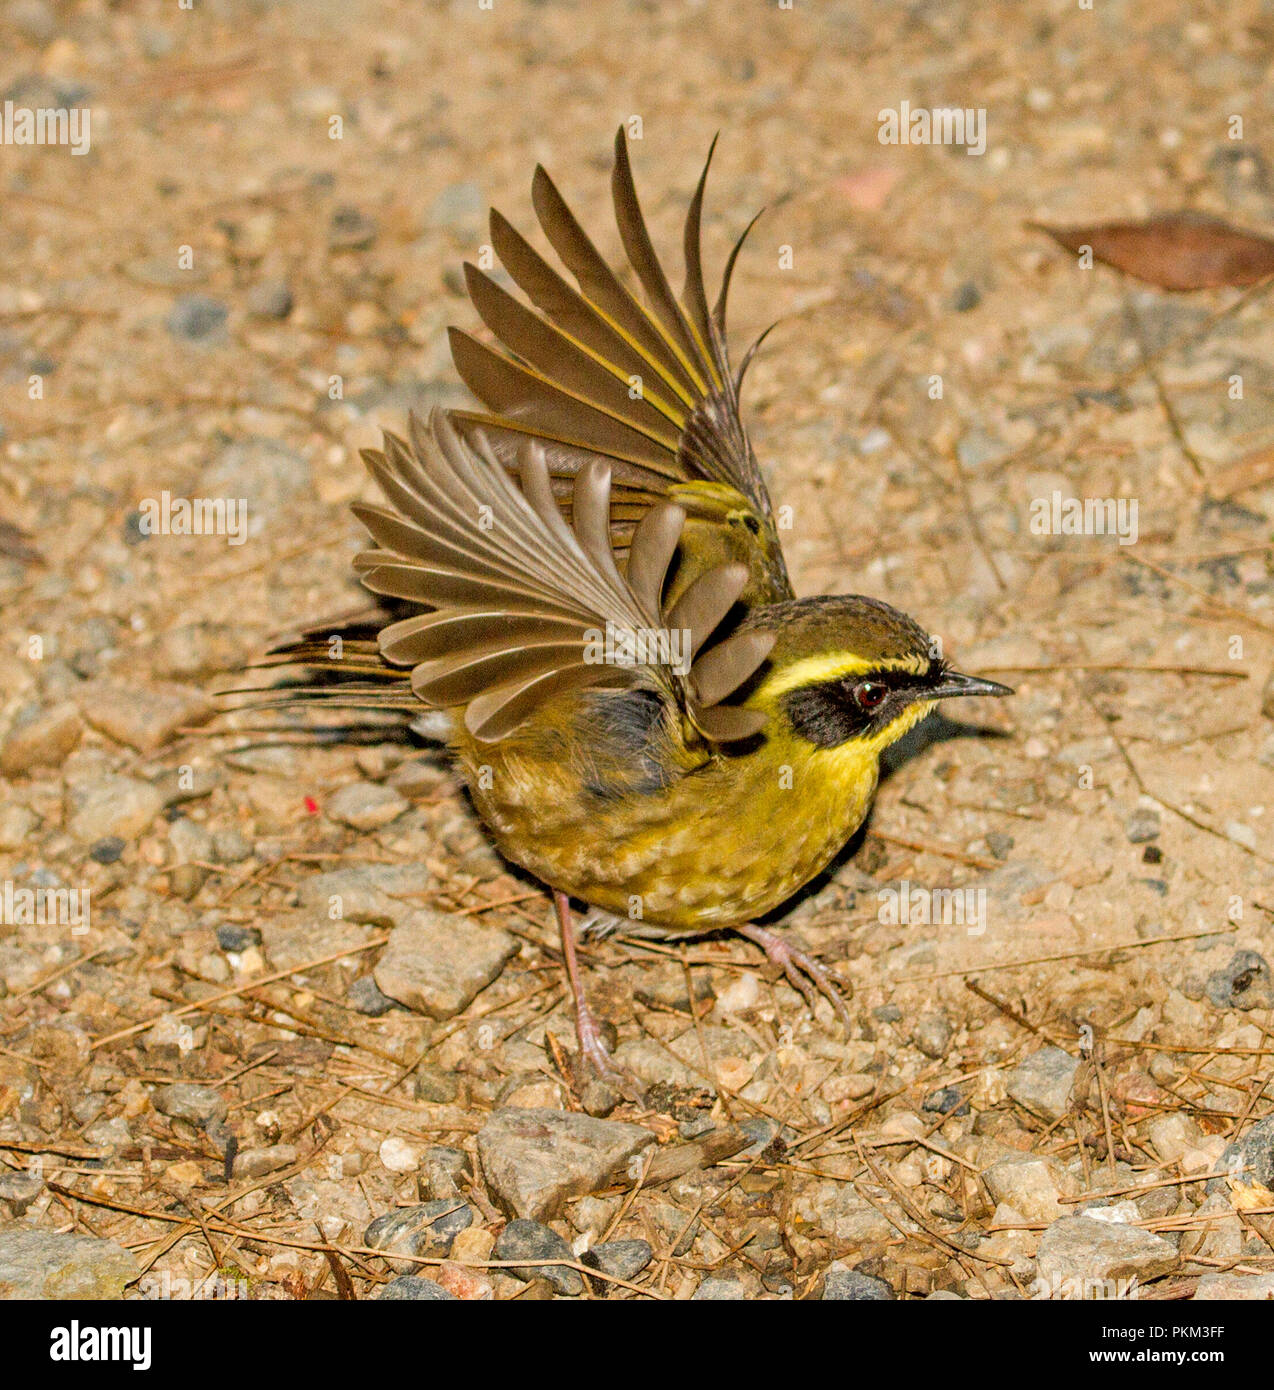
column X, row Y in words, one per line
column 584, row 579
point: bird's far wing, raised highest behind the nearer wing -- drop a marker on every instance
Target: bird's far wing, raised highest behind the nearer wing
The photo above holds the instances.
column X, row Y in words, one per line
column 593, row 370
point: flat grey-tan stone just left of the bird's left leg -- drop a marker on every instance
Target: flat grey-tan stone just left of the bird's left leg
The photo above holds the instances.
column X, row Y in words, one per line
column 438, row 964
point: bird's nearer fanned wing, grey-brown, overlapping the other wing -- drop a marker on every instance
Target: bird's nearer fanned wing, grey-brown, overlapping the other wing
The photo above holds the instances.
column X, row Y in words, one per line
column 524, row 607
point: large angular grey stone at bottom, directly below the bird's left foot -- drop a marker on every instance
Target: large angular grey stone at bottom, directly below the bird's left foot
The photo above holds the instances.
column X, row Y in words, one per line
column 537, row 1160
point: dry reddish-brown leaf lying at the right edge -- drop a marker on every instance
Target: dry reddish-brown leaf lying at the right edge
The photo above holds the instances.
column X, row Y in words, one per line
column 1176, row 251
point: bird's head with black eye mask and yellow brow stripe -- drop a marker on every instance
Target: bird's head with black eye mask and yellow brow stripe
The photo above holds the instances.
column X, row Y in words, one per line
column 852, row 673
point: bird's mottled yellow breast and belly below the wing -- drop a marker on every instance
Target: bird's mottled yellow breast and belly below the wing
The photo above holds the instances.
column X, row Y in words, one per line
column 718, row 847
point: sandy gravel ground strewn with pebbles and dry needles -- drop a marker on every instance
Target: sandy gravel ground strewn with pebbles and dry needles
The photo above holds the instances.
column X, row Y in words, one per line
column 309, row 1039
